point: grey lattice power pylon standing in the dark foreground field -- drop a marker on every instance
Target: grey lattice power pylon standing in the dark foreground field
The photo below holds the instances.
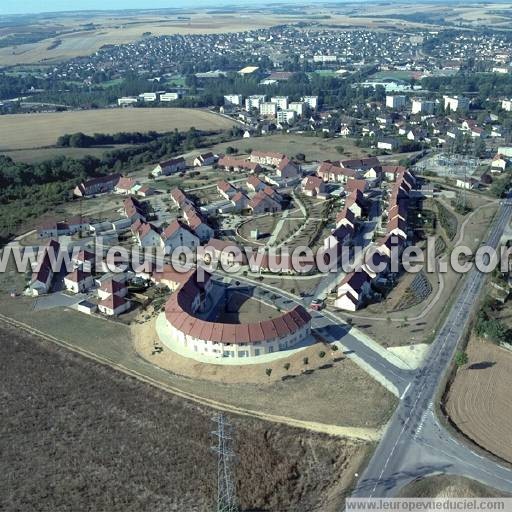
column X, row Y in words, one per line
column 226, row 493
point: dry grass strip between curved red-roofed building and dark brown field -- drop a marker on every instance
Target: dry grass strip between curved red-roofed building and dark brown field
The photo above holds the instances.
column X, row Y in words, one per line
column 307, row 398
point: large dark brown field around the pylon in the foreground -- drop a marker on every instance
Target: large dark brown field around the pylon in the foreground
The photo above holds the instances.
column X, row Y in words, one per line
column 84, row 437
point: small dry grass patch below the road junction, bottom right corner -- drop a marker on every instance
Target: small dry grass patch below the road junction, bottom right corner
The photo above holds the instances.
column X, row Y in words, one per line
column 448, row 486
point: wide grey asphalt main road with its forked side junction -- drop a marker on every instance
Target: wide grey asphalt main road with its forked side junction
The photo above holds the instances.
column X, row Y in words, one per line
column 415, row 444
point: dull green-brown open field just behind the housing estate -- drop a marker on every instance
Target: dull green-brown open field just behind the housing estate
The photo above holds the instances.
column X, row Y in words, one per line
column 314, row 148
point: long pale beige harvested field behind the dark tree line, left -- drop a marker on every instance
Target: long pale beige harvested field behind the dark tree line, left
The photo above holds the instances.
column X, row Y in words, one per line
column 27, row 131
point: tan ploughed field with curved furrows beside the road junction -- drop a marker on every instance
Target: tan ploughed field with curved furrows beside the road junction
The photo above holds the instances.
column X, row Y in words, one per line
column 479, row 400
